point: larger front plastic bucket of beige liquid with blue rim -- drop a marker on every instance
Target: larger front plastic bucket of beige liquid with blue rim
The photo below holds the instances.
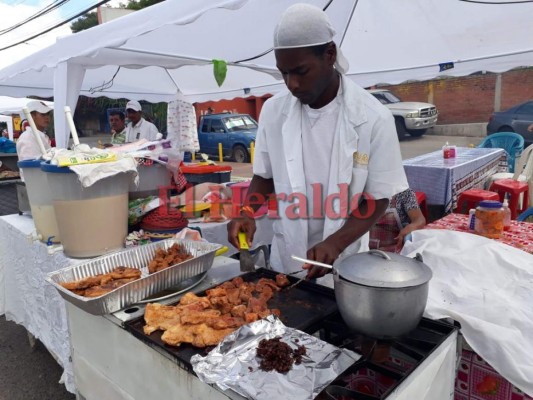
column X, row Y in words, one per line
column 92, row 221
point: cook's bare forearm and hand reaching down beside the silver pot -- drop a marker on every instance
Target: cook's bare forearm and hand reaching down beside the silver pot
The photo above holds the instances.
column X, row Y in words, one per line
column 355, row 227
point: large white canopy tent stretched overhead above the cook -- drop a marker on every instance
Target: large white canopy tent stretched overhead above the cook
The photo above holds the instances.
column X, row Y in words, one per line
column 164, row 51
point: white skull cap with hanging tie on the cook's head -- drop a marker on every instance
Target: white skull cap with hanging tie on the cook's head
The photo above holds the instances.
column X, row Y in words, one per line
column 304, row 25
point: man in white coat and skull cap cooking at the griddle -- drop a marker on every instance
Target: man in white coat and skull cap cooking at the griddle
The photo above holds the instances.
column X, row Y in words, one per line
column 326, row 148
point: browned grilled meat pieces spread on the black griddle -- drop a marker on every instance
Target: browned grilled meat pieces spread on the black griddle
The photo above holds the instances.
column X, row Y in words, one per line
column 206, row 320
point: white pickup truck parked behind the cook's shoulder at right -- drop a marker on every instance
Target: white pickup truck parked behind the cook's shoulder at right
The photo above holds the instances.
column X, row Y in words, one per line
column 411, row 117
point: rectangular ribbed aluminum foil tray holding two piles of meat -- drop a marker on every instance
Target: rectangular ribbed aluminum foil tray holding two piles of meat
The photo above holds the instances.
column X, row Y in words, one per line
column 149, row 284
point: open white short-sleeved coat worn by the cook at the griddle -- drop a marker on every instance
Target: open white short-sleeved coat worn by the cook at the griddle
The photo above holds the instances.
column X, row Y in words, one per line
column 366, row 156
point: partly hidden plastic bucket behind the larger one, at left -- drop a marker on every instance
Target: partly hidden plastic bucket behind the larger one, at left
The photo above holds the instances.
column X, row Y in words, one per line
column 40, row 197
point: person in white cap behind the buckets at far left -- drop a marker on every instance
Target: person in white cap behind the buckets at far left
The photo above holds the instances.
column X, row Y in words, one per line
column 27, row 146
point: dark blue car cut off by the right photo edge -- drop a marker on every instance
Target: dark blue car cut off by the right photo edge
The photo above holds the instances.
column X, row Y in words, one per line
column 515, row 119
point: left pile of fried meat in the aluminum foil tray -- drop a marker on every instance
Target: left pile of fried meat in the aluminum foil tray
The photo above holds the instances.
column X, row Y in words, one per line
column 98, row 285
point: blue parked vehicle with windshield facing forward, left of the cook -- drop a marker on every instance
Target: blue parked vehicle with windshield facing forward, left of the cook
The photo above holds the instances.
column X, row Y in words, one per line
column 234, row 131
